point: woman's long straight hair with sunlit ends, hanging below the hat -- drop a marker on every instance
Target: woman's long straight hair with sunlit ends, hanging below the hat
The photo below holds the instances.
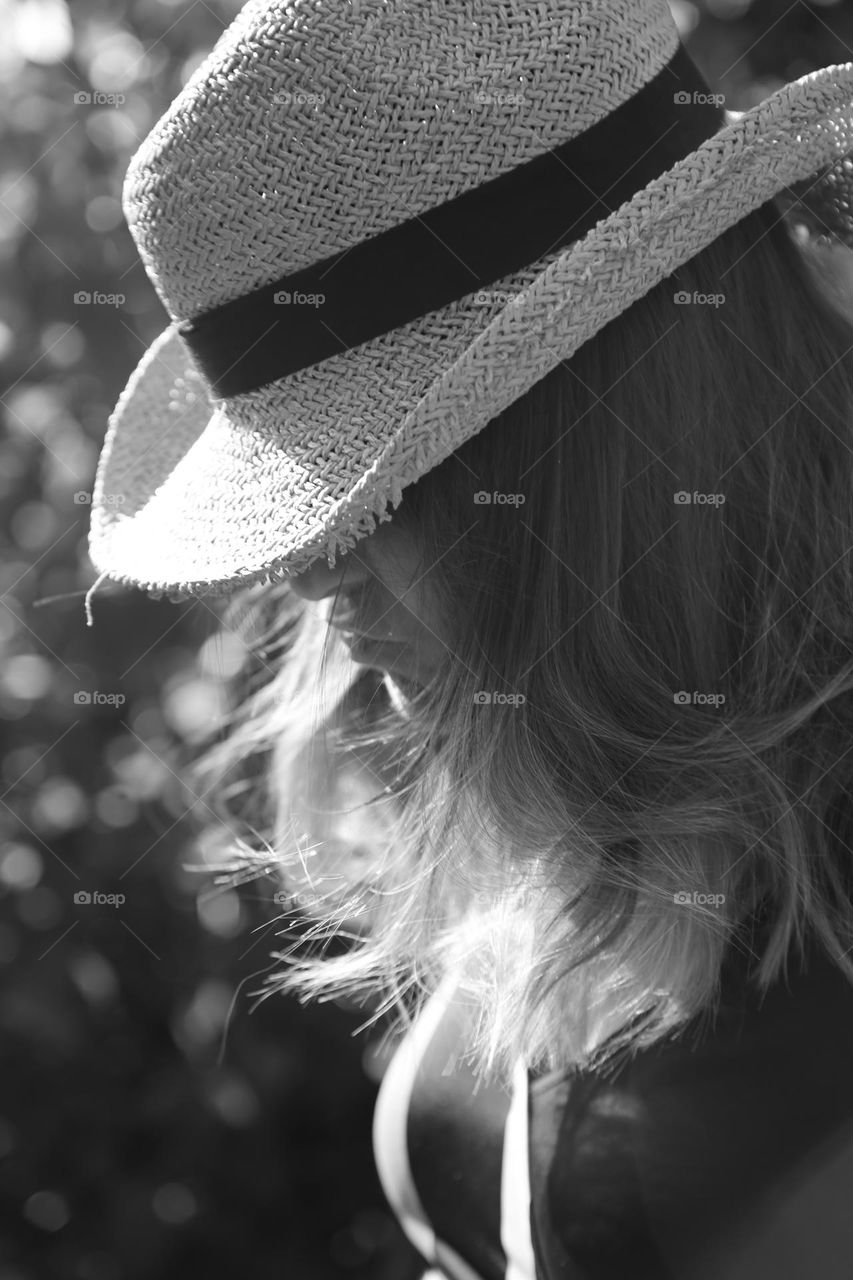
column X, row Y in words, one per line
column 642, row 737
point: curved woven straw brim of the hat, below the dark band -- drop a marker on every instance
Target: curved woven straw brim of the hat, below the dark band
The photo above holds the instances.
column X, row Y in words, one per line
column 200, row 497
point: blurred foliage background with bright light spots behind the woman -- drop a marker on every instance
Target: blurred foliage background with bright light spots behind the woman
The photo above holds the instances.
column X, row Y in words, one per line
column 156, row 1119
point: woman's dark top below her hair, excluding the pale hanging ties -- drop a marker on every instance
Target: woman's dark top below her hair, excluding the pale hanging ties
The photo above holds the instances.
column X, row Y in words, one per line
column 724, row 1153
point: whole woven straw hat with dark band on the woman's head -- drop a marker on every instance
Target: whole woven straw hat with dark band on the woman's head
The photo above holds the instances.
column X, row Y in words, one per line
column 375, row 226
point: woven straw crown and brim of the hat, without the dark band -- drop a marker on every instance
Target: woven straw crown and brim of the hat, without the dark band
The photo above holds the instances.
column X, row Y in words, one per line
column 300, row 136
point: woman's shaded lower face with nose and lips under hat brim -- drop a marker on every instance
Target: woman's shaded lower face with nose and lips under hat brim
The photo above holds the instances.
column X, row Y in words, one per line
column 381, row 601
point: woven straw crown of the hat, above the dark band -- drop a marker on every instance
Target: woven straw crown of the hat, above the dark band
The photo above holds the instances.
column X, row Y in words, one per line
column 303, row 134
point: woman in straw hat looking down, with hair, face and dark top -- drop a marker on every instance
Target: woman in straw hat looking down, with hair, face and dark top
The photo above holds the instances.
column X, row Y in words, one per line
column 545, row 565
